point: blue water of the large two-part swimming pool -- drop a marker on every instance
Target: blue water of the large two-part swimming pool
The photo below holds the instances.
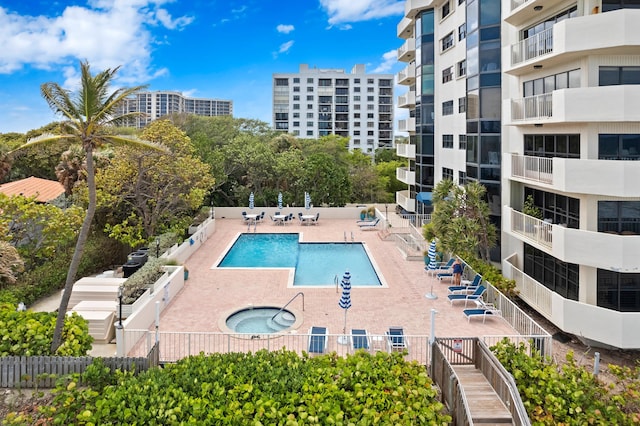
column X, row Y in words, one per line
column 316, row 264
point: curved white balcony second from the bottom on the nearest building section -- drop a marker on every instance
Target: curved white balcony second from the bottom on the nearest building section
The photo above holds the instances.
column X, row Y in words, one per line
column 590, row 248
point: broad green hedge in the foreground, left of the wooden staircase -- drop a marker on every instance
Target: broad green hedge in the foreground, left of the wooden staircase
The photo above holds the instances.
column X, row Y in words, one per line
column 263, row 388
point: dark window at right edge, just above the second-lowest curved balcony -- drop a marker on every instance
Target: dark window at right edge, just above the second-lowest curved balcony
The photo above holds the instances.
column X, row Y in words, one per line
column 619, row 217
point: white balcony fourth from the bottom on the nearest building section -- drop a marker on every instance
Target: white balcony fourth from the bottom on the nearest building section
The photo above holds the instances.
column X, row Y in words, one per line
column 580, row 105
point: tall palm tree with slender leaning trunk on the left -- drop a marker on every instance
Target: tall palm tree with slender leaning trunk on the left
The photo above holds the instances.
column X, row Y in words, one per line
column 89, row 117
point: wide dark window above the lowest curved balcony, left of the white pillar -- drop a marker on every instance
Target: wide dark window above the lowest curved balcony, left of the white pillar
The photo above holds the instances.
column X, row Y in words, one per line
column 556, row 275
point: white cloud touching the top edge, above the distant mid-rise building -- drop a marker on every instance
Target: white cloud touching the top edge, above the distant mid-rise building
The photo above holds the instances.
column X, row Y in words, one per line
column 341, row 11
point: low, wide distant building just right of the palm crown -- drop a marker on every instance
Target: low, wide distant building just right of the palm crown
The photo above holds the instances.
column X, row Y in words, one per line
column 161, row 103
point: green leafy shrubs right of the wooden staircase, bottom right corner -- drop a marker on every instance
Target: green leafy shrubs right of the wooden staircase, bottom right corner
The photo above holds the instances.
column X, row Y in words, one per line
column 569, row 394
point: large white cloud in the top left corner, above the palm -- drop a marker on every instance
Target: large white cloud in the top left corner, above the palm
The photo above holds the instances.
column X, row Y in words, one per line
column 108, row 34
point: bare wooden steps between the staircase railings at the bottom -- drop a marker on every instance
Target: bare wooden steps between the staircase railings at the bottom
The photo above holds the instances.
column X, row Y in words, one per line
column 485, row 407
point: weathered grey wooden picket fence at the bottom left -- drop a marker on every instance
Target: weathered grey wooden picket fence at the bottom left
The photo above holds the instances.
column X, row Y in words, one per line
column 43, row 371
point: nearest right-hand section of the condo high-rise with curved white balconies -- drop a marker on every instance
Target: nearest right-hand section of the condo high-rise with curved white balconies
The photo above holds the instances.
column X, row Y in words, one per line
column 571, row 145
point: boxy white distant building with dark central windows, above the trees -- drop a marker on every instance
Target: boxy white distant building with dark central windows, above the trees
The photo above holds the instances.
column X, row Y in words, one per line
column 318, row 102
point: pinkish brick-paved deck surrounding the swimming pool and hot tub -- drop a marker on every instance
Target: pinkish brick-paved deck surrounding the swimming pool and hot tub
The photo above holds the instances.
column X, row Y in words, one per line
column 211, row 294
